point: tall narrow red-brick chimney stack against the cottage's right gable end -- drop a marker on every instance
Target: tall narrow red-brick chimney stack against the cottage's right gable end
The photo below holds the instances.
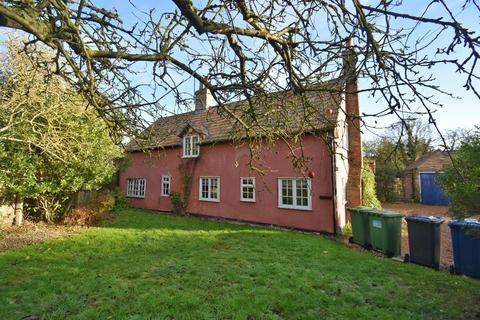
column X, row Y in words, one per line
column 354, row 182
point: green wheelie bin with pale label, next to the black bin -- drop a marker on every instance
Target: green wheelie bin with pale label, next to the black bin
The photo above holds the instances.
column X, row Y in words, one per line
column 386, row 231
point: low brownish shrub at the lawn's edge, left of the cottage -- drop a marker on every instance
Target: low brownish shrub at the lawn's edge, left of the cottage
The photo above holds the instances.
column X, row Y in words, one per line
column 92, row 211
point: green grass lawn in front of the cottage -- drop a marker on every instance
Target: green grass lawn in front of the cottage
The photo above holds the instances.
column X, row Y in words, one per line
column 150, row 266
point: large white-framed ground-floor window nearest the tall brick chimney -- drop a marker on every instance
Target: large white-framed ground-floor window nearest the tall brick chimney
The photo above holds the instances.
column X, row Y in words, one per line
column 295, row 193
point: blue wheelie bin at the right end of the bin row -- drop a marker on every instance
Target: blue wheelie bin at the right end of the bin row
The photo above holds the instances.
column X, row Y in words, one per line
column 466, row 246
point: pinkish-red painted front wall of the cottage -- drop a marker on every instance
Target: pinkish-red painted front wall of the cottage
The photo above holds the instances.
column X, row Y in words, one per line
column 231, row 163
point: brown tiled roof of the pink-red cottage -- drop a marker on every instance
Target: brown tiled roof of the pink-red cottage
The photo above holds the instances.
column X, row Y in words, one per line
column 316, row 111
